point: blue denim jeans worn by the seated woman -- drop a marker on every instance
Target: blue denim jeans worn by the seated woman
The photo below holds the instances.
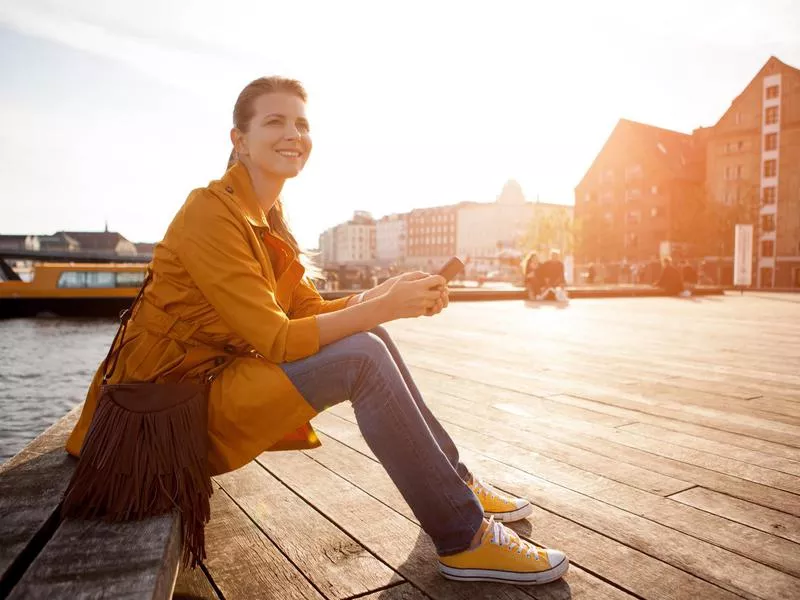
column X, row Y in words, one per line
column 410, row 443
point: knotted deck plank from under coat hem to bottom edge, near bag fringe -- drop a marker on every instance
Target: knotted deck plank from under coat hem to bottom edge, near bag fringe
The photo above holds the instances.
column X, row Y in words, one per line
column 337, row 565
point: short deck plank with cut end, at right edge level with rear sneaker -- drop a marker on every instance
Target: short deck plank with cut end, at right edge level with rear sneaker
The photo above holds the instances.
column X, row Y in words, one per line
column 774, row 522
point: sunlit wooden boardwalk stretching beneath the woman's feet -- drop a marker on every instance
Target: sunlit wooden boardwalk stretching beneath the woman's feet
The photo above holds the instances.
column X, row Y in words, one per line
column 658, row 438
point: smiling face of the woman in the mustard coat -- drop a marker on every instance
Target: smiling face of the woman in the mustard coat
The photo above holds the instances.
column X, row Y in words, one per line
column 278, row 140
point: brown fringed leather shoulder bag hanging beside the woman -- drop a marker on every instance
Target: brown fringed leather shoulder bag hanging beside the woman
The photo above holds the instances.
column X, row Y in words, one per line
column 146, row 452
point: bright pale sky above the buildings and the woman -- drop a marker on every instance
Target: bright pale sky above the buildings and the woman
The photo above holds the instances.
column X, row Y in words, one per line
column 113, row 112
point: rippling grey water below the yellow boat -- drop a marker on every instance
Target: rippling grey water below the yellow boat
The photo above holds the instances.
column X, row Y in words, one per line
column 46, row 366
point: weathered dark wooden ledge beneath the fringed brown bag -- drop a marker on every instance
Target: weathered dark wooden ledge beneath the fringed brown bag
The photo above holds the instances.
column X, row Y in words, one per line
column 42, row 556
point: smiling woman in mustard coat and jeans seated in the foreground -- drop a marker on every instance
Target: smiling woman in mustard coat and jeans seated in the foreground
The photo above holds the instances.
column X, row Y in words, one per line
column 228, row 274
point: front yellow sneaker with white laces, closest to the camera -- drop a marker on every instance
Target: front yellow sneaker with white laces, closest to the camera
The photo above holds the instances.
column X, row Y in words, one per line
column 503, row 557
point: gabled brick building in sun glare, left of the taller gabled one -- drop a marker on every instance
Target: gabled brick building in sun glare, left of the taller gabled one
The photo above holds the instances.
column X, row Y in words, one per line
column 632, row 198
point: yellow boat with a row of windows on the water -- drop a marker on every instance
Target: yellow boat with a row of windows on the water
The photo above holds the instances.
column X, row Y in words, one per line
column 71, row 290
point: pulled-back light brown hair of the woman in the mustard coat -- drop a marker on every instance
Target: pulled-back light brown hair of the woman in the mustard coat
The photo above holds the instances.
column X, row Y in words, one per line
column 243, row 112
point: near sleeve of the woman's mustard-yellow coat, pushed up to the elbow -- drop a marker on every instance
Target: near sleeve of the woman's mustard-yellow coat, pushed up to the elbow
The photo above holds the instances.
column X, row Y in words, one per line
column 214, row 249
